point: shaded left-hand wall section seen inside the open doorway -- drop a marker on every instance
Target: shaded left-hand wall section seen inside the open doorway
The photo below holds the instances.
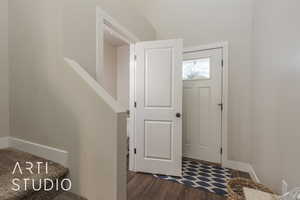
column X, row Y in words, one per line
column 109, row 70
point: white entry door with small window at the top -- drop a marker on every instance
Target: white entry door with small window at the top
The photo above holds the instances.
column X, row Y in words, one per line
column 202, row 98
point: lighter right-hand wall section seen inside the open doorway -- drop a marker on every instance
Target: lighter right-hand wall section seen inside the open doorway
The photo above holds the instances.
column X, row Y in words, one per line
column 123, row 54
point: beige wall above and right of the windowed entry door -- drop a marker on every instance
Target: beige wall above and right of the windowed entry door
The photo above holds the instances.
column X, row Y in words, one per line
column 209, row 21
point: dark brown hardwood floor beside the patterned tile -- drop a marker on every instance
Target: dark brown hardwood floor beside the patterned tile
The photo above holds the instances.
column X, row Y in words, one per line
column 146, row 187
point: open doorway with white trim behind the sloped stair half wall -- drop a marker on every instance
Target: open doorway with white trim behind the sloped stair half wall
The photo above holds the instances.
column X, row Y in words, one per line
column 115, row 69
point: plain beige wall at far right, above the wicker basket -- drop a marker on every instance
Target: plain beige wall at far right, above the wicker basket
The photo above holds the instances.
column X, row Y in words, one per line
column 275, row 92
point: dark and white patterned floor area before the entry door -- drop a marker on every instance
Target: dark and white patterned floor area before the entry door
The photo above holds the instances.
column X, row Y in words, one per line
column 202, row 176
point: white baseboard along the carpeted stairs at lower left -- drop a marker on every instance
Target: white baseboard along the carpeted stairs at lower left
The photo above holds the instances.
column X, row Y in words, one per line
column 49, row 153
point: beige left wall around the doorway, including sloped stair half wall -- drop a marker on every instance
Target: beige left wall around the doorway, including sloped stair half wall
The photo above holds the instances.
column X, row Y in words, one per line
column 50, row 104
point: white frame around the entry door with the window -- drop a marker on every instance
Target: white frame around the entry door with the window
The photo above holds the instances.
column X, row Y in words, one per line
column 225, row 63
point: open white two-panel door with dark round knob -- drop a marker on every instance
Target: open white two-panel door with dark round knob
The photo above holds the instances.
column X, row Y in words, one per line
column 159, row 107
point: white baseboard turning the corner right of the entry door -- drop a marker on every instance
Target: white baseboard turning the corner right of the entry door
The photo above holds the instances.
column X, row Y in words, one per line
column 241, row 166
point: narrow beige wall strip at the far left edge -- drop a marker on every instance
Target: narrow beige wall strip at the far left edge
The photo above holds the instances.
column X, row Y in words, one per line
column 4, row 70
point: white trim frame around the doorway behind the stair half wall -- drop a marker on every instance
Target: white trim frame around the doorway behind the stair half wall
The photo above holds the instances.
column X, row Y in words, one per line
column 103, row 21
